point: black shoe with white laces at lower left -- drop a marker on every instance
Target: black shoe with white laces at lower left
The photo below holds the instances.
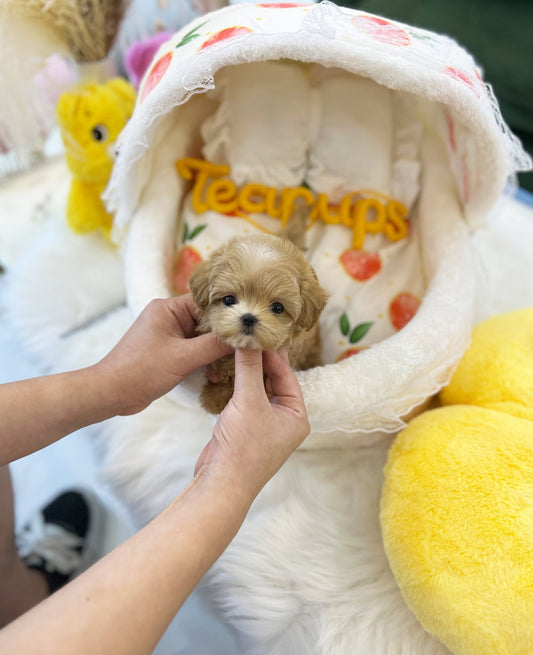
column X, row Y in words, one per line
column 62, row 539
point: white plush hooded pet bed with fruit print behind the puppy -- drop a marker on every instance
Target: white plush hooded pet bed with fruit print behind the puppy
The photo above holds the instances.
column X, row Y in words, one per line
column 365, row 103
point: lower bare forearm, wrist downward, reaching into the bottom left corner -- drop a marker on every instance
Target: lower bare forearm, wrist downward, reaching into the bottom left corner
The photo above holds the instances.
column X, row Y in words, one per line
column 124, row 603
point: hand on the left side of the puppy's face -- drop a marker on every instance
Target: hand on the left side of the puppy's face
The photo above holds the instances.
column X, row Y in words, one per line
column 158, row 351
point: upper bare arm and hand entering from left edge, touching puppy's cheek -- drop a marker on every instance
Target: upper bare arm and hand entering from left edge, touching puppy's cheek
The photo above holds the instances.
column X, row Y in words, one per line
column 157, row 353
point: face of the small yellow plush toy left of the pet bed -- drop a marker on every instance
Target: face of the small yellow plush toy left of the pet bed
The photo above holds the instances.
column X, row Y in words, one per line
column 91, row 118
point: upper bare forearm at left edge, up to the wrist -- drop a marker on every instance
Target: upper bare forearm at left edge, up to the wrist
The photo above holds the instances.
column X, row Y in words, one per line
column 34, row 413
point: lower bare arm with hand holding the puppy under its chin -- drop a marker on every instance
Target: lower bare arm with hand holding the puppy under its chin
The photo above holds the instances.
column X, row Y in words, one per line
column 123, row 604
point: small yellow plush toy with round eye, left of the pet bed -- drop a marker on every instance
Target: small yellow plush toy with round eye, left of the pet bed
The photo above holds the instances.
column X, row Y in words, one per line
column 91, row 118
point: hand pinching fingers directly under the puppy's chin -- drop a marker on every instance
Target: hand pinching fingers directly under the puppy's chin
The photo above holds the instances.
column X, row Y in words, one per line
column 259, row 428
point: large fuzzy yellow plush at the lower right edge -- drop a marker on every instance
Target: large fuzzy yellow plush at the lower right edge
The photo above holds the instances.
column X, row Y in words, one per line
column 457, row 504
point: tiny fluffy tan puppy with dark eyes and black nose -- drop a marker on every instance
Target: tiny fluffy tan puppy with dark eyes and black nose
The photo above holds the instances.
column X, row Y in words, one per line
column 257, row 292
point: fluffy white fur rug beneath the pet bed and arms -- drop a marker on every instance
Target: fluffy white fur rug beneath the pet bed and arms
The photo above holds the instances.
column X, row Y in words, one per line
column 307, row 573
